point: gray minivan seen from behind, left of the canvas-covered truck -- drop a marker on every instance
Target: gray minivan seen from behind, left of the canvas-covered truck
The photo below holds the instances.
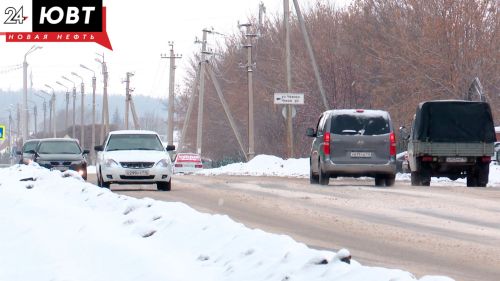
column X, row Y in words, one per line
column 353, row 143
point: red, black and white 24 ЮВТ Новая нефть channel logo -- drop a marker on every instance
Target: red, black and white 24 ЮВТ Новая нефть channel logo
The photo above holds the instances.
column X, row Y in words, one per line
column 54, row 21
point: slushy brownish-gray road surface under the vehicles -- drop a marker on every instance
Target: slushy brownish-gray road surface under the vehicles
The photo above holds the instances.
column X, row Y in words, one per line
column 441, row 230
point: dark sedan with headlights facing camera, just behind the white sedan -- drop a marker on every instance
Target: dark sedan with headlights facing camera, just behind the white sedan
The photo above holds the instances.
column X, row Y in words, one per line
column 61, row 154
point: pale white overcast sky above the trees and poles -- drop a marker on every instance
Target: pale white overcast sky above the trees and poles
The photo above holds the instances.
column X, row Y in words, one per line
column 139, row 33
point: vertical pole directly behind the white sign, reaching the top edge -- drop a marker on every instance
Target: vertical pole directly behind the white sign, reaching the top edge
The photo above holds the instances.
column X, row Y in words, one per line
column 289, row 124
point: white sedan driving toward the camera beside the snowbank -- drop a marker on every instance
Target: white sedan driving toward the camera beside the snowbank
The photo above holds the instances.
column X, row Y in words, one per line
column 134, row 157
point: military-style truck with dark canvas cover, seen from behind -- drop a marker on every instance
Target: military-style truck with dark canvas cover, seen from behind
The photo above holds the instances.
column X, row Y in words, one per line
column 453, row 139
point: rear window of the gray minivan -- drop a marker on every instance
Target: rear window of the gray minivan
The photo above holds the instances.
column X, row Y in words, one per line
column 348, row 124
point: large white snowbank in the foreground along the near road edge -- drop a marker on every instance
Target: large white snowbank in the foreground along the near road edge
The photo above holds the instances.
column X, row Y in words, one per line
column 57, row 227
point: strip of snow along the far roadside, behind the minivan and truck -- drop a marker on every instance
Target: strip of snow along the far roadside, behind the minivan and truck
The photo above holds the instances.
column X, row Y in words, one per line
column 268, row 165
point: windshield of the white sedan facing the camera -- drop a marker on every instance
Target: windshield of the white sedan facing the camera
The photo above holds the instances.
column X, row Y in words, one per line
column 134, row 142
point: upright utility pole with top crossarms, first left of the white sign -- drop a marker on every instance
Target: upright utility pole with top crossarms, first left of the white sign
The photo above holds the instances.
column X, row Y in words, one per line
column 249, row 67
